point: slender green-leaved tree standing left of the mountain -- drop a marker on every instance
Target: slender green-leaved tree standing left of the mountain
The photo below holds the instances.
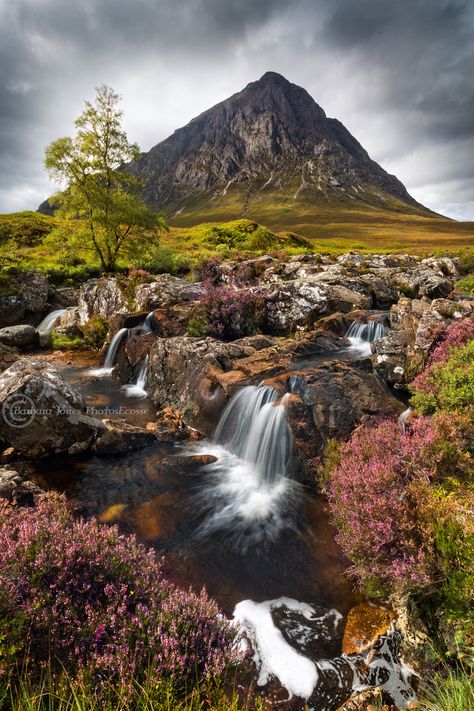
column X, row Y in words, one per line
column 96, row 189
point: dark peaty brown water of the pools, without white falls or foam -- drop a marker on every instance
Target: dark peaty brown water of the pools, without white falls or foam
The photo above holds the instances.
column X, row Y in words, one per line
column 152, row 492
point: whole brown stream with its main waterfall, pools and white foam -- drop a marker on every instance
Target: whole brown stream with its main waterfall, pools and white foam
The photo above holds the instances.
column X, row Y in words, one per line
column 228, row 516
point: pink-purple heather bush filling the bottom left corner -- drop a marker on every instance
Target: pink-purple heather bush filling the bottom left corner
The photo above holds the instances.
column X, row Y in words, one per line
column 76, row 595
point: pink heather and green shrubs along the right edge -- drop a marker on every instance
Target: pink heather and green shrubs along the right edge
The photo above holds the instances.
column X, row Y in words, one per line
column 403, row 502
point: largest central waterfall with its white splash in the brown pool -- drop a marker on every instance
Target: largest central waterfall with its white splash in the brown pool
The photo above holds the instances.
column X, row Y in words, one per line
column 247, row 495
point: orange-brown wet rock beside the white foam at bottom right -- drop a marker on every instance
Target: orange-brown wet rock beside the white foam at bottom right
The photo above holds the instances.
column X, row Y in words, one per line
column 365, row 623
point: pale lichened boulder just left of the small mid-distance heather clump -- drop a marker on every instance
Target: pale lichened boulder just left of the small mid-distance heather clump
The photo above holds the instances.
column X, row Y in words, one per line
column 166, row 291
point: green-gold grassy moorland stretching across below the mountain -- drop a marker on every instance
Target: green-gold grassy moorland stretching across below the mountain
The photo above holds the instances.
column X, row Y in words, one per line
column 290, row 228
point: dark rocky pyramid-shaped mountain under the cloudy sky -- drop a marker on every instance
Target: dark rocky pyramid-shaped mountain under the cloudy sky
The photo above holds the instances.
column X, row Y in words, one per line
column 268, row 150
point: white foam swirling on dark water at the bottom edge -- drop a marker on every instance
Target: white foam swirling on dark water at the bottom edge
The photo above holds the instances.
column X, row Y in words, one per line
column 277, row 658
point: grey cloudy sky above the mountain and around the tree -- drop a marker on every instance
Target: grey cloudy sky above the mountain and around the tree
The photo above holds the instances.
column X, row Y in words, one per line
column 398, row 73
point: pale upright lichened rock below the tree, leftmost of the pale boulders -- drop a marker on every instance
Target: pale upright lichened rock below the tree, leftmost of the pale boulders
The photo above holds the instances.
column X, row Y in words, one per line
column 100, row 297
